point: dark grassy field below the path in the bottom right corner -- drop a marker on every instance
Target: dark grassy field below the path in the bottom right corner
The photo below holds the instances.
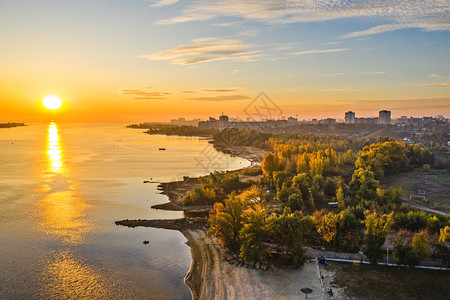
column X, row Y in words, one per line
column 380, row 282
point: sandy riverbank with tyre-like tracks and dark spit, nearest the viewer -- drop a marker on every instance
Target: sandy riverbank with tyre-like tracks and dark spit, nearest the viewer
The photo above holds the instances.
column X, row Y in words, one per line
column 211, row 277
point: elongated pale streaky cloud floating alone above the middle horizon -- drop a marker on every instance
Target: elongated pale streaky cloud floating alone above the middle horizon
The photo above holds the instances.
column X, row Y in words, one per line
column 206, row 50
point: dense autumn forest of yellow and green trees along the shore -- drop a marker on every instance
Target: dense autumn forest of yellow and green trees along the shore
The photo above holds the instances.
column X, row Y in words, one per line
column 279, row 214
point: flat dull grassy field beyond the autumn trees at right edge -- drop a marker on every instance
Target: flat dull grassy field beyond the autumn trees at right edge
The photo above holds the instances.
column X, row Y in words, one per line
column 435, row 183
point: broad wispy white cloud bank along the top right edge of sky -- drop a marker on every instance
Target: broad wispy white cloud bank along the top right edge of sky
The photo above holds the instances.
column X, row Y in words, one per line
column 428, row 15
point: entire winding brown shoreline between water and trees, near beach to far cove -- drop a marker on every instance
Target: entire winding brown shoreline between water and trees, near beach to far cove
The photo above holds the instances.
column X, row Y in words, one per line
column 210, row 276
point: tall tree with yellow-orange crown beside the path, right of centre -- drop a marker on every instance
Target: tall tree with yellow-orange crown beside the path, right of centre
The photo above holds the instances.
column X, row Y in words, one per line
column 378, row 226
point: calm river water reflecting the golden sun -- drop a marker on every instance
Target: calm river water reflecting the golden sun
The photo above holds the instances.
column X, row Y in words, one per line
column 61, row 189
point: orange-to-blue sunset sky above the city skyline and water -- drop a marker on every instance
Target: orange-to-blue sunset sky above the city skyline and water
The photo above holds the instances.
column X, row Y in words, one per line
column 136, row 61
